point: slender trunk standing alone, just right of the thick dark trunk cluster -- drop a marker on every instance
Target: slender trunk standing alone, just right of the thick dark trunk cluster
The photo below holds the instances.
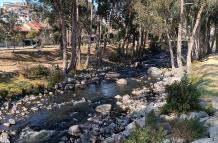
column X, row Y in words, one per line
column 90, row 36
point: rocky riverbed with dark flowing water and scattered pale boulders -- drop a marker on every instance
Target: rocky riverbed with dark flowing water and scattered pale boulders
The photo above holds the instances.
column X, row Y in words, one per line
column 49, row 116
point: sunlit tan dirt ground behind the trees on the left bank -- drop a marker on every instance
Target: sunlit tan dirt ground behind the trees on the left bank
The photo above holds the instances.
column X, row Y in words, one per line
column 22, row 57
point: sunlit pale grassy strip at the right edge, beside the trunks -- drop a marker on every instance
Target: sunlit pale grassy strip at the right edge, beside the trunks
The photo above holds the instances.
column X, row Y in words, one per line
column 206, row 73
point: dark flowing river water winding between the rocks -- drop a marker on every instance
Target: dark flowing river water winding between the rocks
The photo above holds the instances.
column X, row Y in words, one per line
column 54, row 123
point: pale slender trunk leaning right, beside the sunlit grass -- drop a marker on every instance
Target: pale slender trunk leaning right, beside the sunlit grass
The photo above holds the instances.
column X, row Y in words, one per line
column 192, row 39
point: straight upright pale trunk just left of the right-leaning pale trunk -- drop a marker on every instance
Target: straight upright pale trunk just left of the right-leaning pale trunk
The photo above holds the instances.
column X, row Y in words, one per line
column 179, row 41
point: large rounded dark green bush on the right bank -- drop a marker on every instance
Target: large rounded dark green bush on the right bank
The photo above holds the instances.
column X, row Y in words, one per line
column 182, row 97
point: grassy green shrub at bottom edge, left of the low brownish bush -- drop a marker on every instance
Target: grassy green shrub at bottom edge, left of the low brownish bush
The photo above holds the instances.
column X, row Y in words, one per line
column 151, row 134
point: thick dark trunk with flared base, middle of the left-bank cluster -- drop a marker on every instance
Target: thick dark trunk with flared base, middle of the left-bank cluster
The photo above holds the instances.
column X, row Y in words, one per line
column 74, row 37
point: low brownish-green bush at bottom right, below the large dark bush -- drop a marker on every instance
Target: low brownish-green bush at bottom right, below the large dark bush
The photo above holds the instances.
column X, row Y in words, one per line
column 188, row 129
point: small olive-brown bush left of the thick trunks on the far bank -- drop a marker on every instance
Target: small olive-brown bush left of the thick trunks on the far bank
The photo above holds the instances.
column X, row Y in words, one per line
column 56, row 75
